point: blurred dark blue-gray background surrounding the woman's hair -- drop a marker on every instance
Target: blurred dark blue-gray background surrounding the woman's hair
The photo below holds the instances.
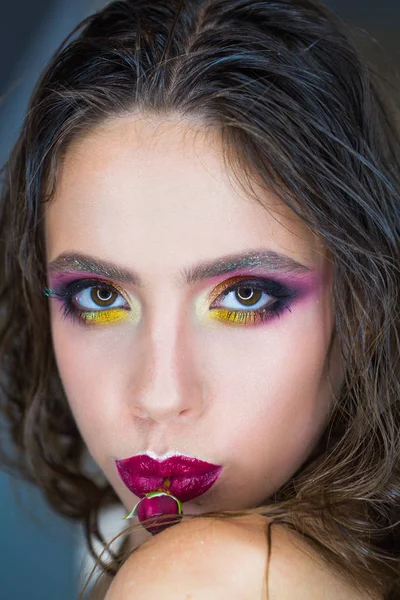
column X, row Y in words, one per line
column 39, row 549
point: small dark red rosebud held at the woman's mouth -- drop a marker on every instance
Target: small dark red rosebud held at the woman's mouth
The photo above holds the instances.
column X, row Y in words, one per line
column 158, row 505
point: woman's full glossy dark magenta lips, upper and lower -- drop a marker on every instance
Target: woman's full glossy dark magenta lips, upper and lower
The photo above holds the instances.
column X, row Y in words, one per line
column 182, row 476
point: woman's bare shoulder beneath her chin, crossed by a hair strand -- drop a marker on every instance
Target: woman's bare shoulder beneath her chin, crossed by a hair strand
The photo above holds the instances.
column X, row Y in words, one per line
column 205, row 558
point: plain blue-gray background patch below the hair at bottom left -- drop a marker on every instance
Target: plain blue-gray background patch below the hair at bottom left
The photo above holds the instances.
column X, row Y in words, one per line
column 37, row 548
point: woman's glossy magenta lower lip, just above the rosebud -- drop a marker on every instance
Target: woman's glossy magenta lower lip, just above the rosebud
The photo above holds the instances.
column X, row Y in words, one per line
column 183, row 487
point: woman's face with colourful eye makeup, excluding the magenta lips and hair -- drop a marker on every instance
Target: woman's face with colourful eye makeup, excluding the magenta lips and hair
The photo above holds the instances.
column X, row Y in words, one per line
column 169, row 361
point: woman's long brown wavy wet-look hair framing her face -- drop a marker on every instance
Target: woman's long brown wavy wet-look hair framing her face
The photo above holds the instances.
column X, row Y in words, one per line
column 299, row 108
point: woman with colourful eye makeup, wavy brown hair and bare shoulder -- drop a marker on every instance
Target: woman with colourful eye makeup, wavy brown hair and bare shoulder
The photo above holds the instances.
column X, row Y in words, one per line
column 200, row 241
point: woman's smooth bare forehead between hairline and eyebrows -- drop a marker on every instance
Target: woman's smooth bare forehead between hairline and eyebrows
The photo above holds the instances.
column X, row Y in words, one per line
column 133, row 183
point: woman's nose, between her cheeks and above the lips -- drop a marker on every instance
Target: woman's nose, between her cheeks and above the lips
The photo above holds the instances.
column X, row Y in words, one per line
column 166, row 385
